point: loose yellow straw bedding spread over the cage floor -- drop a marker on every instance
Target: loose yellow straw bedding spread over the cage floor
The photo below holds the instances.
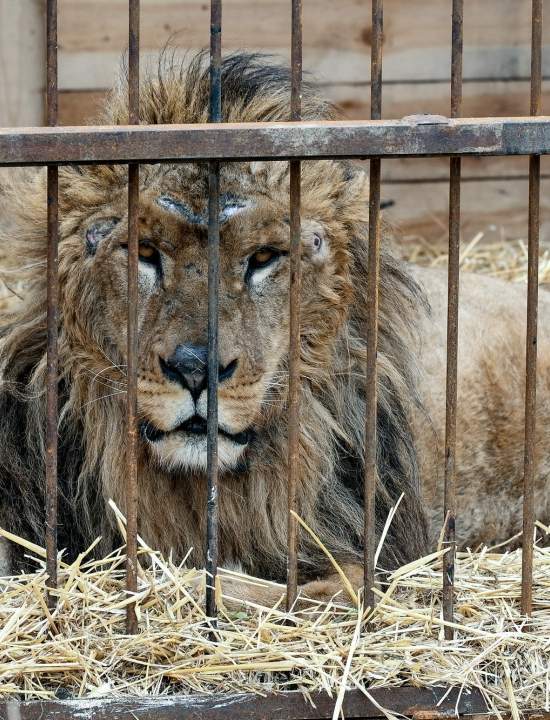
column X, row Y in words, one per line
column 80, row 649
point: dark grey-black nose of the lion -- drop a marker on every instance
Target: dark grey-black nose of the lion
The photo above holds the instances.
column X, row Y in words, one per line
column 189, row 367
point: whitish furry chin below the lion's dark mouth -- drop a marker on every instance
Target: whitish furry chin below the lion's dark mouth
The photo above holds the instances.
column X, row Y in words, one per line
column 188, row 452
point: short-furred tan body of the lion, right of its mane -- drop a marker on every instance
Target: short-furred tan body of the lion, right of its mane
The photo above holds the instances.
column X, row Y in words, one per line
column 491, row 406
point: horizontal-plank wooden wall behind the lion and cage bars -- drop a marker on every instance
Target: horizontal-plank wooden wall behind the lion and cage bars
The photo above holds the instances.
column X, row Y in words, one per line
column 337, row 36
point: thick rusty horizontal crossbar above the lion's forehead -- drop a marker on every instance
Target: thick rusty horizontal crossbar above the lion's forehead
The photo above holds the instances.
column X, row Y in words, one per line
column 415, row 136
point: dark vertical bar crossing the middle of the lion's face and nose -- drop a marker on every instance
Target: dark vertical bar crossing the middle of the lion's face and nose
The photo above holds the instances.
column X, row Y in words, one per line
column 215, row 115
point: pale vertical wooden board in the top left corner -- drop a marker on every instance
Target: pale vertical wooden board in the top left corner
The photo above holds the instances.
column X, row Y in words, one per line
column 22, row 62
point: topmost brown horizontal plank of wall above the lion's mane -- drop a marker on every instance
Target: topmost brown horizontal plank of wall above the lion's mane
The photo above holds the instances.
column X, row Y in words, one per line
column 99, row 24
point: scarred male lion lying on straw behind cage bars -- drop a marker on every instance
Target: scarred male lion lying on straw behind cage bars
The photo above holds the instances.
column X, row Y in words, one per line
column 253, row 358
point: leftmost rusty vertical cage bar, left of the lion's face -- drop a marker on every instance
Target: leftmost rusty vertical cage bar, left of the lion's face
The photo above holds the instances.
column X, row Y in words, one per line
column 52, row 312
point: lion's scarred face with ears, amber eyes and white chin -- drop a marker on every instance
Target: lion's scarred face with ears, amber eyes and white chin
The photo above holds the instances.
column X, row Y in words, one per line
column 173, row 309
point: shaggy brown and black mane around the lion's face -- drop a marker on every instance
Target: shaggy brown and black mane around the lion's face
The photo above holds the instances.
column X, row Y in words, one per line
column 92, row 423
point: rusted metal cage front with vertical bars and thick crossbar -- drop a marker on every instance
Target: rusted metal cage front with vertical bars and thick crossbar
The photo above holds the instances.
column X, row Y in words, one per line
column 413, row 137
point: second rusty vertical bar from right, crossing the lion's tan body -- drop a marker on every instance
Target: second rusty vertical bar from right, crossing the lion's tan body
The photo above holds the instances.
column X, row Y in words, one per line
column 449, row 519
